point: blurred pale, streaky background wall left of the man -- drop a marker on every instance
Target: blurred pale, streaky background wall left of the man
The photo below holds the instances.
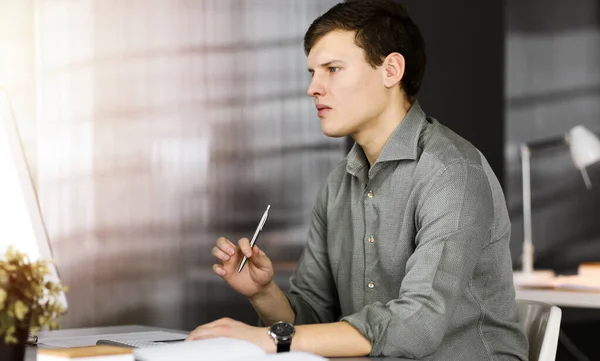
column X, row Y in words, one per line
column 160, row 126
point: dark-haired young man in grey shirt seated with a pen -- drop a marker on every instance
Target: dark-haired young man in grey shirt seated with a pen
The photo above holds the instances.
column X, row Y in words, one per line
column 407, row 252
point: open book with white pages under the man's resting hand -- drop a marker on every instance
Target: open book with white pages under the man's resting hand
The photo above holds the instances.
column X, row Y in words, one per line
column 217, row 349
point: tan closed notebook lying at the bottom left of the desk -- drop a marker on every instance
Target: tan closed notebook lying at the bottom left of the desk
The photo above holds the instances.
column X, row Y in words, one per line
column 90, row 353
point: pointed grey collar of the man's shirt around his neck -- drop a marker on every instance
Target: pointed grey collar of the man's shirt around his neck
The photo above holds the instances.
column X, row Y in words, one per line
column 402, row 144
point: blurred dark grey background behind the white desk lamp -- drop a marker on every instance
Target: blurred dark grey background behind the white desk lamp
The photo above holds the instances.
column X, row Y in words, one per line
column 553, row 84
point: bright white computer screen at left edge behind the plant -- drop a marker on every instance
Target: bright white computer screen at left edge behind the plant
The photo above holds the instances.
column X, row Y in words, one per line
column 21, row 222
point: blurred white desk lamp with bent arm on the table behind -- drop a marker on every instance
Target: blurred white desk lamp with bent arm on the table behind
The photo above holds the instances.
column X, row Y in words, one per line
column 584, row 147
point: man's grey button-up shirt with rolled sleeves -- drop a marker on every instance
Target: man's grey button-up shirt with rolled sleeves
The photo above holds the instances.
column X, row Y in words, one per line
column 414, row 251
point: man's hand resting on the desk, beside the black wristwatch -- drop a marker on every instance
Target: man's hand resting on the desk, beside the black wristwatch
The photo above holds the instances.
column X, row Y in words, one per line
column 226, row 327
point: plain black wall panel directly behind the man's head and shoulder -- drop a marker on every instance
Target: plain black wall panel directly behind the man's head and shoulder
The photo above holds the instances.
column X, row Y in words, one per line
column 463, row 85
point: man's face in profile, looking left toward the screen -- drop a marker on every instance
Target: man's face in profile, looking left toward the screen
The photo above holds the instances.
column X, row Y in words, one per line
column 348, row 92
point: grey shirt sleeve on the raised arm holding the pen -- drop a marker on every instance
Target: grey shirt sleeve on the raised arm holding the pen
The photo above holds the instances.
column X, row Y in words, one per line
column 312, row 293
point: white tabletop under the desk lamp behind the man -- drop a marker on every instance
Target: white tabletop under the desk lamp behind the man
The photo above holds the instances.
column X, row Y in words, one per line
column 577, row 299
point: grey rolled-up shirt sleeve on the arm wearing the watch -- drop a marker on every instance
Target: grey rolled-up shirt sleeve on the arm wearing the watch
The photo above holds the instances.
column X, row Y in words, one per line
column 454, row 220
